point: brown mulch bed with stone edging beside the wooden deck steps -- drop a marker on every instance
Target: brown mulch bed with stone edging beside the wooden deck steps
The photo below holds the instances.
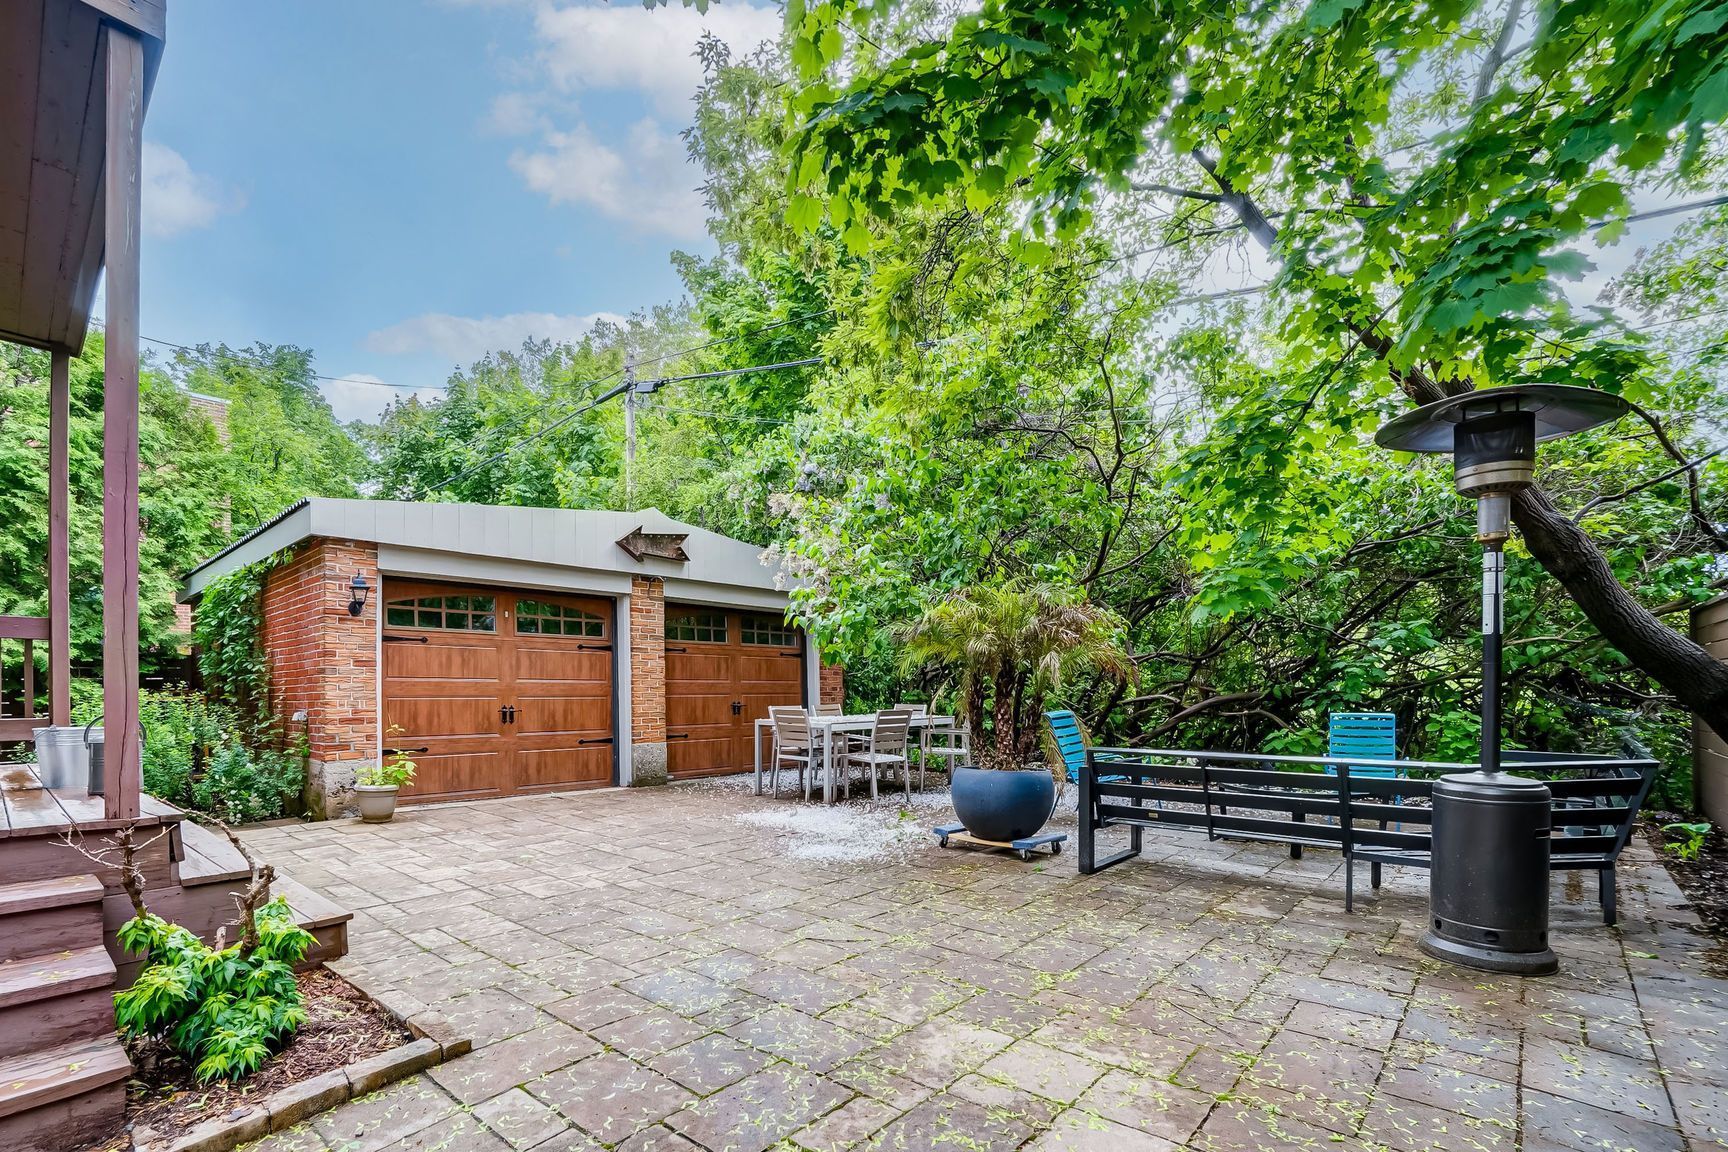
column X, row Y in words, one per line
column 343, row 1027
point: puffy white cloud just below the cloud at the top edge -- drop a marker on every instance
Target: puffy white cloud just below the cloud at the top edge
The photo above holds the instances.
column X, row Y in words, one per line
column 647, row 182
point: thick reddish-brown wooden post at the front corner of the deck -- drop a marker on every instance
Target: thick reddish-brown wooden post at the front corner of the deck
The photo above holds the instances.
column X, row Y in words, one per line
column 120, row 424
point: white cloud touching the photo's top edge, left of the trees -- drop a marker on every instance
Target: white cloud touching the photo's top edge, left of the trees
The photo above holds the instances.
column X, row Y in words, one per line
column 649, row 51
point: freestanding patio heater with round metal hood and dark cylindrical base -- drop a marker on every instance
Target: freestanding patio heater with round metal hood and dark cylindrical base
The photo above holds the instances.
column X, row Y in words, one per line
column 1489, row 878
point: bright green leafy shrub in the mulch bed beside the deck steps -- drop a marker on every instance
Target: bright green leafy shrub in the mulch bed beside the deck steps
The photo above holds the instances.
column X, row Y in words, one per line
column 224, row 1011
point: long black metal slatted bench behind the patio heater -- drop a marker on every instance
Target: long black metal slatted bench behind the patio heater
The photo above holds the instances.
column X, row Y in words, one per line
column 1316, row 802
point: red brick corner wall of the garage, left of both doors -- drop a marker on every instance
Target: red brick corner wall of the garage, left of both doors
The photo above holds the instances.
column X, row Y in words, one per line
column 322, row 661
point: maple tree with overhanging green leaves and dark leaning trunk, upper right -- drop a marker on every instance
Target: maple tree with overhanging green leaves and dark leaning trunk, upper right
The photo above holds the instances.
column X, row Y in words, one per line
column 1406, row 262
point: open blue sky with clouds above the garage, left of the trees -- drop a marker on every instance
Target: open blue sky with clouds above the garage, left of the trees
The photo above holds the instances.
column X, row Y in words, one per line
column 405, row 184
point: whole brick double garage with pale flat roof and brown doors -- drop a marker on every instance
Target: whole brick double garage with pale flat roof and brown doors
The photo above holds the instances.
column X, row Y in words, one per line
column 521, row 649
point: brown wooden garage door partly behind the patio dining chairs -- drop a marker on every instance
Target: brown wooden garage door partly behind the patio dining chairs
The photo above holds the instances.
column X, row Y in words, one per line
column 723, row 671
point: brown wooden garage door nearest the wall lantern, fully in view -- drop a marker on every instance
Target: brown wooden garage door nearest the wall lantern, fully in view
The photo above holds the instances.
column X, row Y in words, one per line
column 499, row 692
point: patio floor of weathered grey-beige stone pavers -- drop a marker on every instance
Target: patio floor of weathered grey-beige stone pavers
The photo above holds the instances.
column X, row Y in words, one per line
column 644, row 972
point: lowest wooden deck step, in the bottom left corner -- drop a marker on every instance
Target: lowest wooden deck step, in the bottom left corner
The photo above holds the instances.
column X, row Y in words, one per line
column 65, row 1096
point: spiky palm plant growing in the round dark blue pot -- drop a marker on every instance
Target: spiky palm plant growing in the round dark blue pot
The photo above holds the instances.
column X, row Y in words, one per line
column 1012, row 649
